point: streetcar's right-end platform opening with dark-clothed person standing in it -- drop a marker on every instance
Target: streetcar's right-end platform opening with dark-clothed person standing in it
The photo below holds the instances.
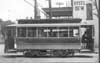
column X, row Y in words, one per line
column 87, row 37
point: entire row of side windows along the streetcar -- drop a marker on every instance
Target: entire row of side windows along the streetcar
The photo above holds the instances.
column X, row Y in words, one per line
column 48, row 32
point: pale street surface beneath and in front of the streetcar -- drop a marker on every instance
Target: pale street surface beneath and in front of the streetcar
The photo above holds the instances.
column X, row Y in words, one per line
column 20, row 58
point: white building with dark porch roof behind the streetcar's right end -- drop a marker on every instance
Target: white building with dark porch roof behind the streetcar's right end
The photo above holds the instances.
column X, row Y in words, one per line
column 82, row 9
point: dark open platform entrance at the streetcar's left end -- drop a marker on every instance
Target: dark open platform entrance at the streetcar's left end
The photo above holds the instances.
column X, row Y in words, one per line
column 9, row 41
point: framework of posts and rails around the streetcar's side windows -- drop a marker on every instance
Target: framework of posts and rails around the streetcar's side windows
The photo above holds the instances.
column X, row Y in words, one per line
column 58, row 32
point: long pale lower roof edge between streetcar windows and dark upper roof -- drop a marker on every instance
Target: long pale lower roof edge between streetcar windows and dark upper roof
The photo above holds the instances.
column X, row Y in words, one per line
column 45, row 25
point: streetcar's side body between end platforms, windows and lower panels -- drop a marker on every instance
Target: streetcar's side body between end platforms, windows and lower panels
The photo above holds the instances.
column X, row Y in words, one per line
column 49, row 37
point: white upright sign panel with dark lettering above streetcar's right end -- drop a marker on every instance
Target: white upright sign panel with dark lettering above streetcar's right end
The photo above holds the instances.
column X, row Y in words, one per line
column 79, row 9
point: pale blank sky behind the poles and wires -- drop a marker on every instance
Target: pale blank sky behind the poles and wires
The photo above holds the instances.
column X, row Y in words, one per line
column 19, row 9
